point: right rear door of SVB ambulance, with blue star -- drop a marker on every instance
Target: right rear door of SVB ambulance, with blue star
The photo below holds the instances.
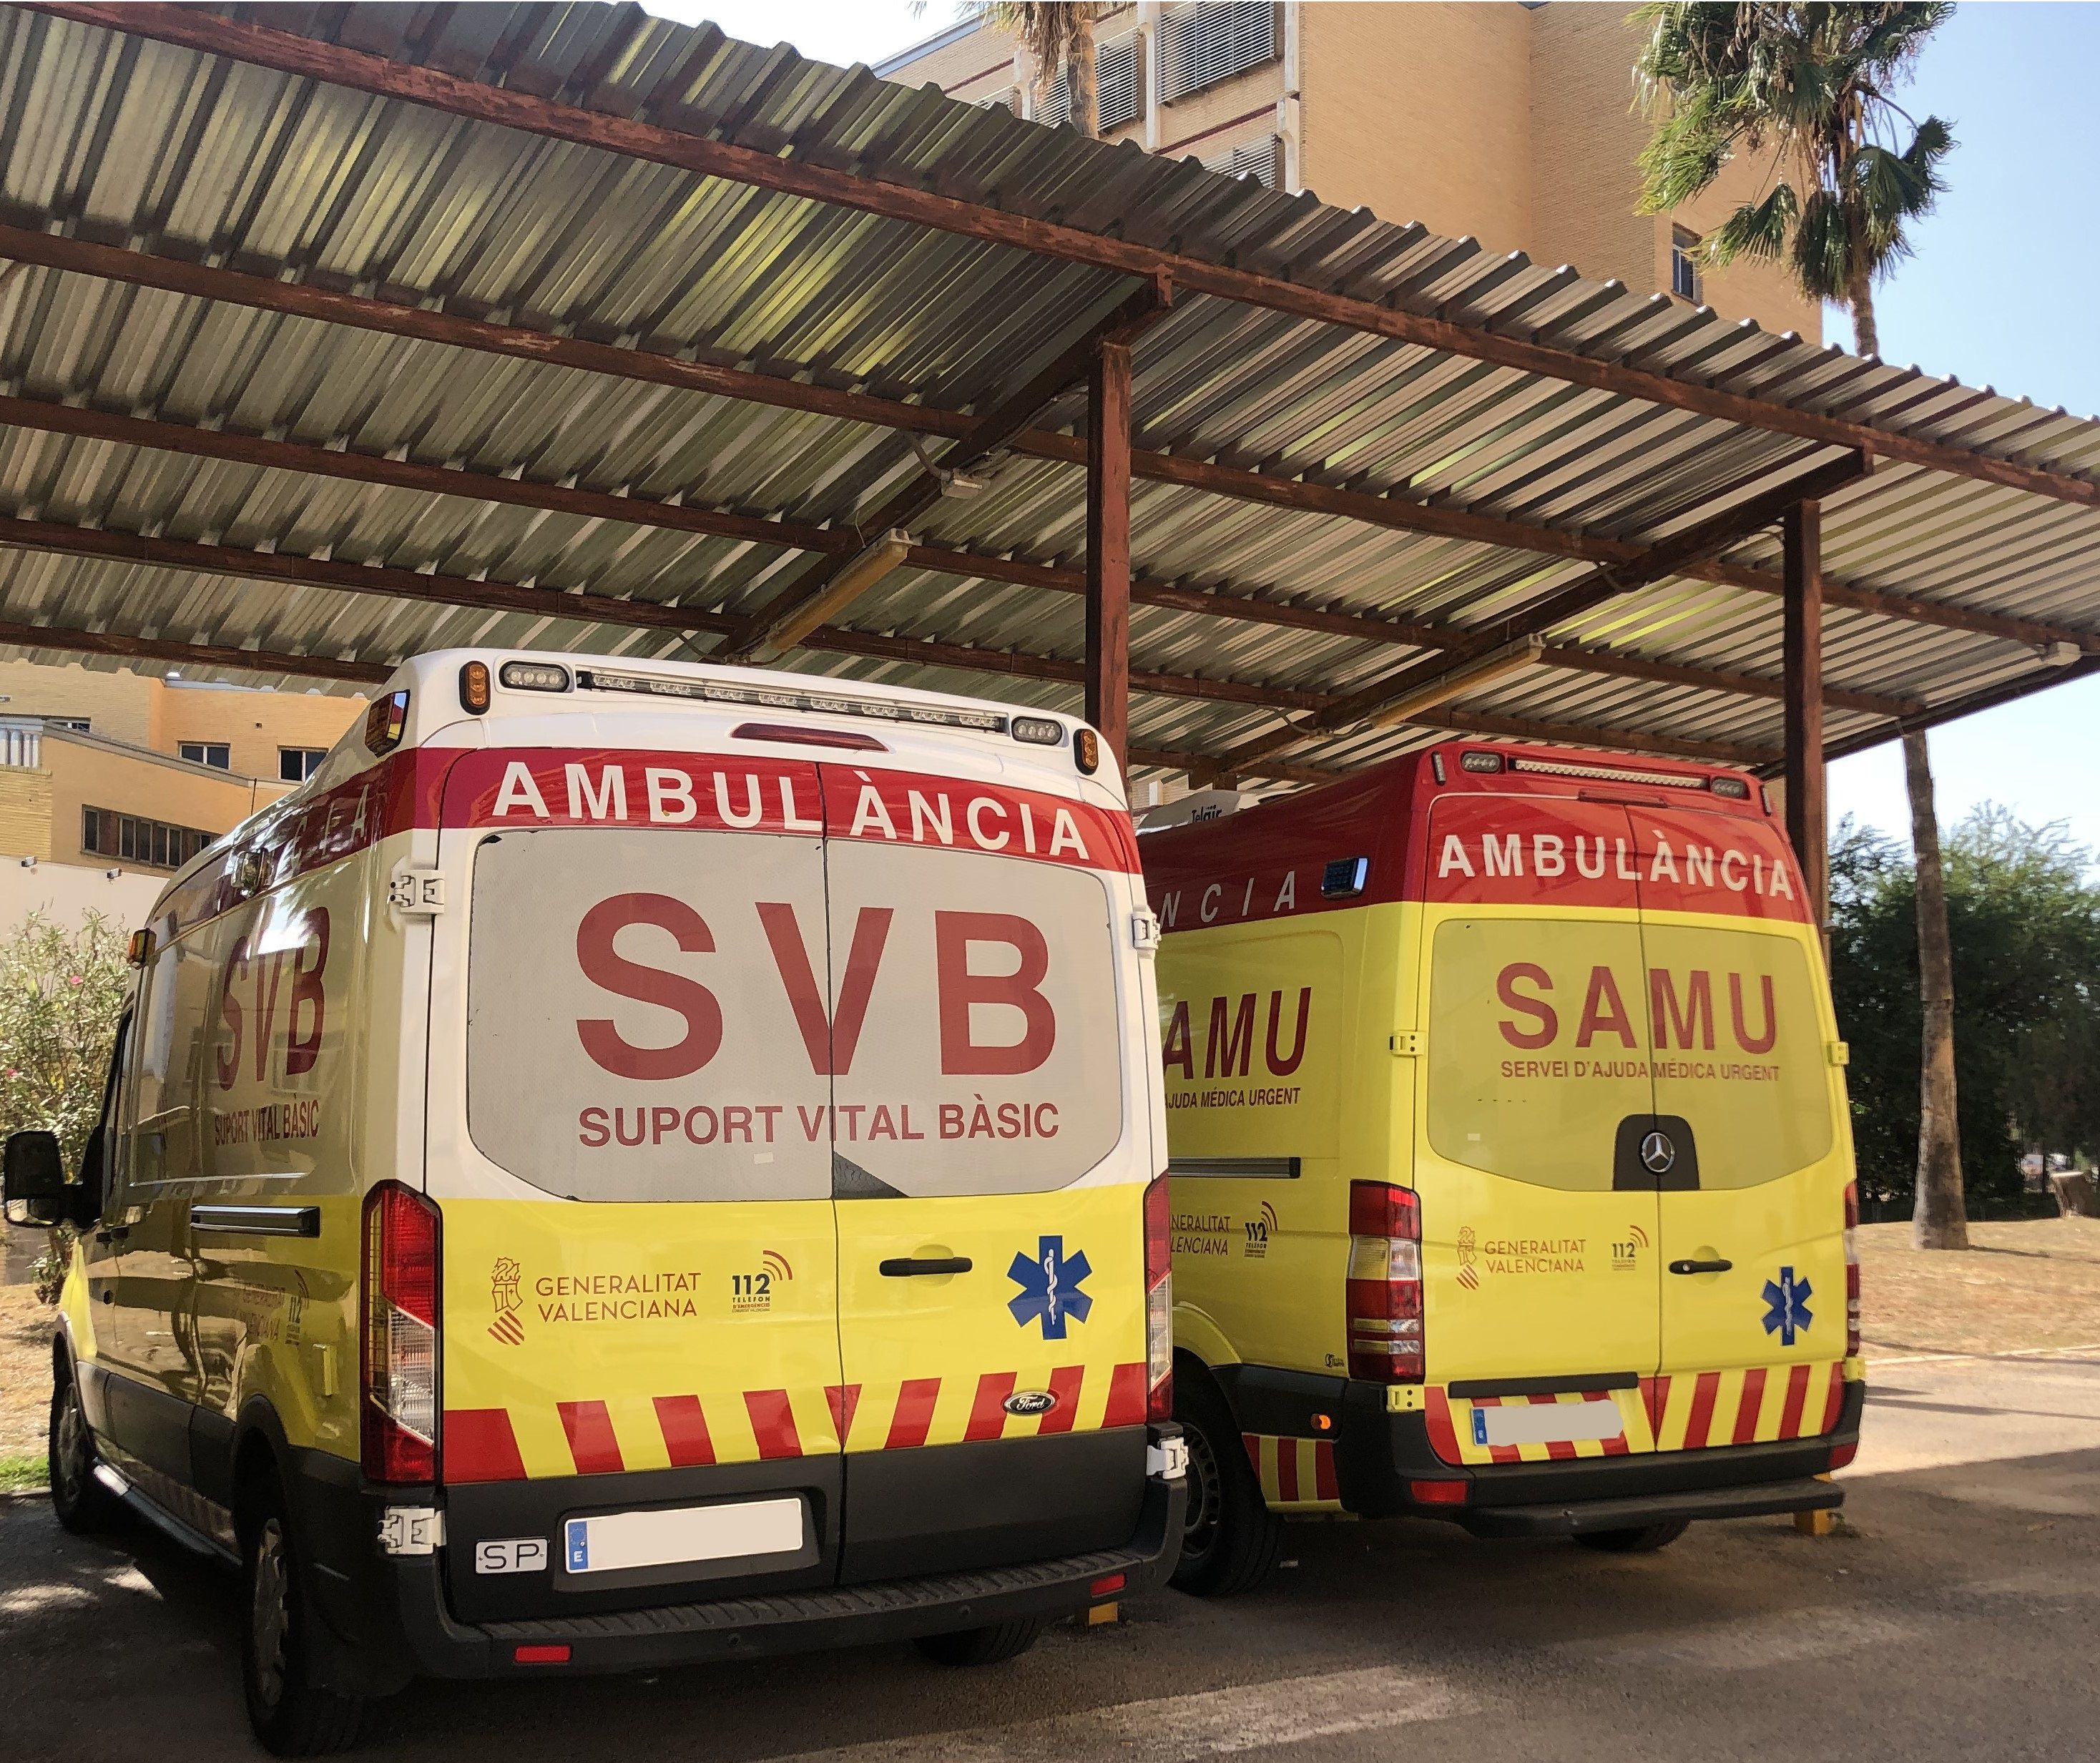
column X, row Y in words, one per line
column 990, row 1151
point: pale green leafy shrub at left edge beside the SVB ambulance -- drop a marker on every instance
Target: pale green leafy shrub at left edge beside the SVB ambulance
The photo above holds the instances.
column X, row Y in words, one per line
column 60, row 998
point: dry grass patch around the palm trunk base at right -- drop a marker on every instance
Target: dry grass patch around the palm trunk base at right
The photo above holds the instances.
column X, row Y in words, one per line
column 2028, row 1283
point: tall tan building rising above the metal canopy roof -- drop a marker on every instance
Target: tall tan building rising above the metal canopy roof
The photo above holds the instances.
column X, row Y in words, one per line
column 1513, row 125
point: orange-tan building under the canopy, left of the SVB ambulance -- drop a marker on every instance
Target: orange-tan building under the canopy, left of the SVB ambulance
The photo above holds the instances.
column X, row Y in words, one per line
column 133, row 773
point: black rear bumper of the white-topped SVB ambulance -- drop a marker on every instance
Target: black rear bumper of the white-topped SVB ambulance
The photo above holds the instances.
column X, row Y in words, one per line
column 392, row 1619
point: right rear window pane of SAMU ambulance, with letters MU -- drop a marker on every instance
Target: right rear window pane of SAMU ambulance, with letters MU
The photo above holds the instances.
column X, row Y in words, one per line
column 1740, row 1050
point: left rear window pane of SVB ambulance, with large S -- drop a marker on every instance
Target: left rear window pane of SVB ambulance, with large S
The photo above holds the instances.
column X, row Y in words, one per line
column 646, row 1015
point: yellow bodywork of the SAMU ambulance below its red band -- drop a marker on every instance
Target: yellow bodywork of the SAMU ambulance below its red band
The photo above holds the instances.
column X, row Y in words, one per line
column 1524, row 1279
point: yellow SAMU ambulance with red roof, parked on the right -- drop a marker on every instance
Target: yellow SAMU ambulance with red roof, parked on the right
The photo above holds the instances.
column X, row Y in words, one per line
column 1511, row 1170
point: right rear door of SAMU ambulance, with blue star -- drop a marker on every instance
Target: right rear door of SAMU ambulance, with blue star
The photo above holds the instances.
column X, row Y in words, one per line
column 1750, row 1155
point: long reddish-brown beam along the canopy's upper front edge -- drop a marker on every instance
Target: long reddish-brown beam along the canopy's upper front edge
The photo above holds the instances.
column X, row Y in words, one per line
column 629, row 137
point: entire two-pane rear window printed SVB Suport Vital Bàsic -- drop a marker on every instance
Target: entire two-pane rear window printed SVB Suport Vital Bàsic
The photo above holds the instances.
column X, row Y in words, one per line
column 671, row 1015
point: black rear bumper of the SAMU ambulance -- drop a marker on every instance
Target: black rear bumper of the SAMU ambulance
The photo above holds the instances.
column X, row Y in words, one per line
column 1381, row 1456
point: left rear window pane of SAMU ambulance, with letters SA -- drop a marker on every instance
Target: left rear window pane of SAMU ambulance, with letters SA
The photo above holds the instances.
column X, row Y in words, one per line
column 1538, row 1046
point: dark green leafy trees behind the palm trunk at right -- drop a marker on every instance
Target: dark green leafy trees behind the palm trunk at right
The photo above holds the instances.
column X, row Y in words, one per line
column 2025, row 937
